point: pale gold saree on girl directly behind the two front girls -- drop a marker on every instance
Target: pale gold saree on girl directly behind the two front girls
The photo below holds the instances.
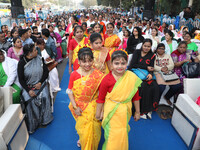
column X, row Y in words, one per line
column 99, row 60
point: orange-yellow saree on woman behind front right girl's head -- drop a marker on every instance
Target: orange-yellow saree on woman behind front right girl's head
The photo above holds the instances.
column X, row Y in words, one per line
column 112, row 42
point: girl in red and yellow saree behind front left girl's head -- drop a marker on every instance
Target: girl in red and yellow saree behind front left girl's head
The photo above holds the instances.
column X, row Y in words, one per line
column 78, row 41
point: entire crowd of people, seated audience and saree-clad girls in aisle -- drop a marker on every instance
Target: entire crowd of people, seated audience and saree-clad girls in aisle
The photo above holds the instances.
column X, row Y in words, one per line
column 117, row 66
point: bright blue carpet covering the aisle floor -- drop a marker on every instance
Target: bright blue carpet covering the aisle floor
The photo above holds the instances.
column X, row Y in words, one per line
column 152, row 134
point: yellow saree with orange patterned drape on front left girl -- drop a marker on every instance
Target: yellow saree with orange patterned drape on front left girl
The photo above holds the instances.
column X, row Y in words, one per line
column 85, row 94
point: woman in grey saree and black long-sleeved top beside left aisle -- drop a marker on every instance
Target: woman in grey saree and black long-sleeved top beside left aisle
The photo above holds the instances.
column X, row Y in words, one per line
column 33, row 73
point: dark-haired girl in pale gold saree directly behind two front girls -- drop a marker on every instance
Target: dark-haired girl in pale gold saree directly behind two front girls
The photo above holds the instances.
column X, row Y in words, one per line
column 101, row 54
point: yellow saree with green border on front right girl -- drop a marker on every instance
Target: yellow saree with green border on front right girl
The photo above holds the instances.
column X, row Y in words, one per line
column 117, row 112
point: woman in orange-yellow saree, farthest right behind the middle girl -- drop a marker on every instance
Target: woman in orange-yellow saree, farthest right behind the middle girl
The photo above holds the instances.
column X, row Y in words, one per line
column 112, row 41
